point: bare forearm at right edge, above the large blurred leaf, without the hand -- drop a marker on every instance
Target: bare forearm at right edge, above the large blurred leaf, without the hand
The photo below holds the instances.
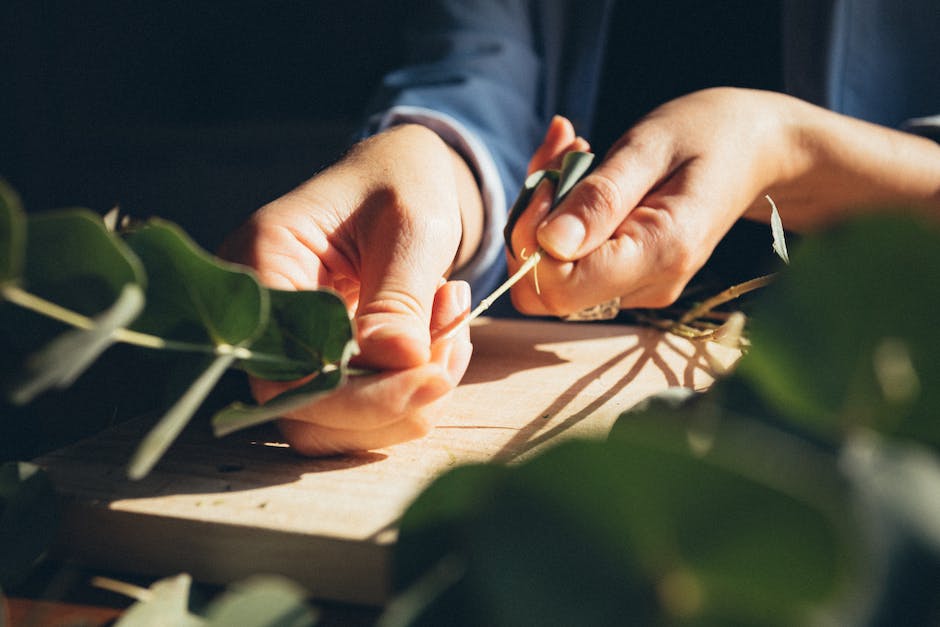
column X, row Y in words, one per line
column 837, row 166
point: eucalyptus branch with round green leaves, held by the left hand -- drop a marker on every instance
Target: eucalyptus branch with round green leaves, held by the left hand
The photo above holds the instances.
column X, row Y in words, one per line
column 152, row 287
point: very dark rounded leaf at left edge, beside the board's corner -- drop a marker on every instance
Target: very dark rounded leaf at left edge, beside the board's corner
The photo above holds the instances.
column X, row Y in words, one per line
column 28, row 519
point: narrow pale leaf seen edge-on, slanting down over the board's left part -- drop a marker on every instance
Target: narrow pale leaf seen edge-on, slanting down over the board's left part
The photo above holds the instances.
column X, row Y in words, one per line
column 161, row 436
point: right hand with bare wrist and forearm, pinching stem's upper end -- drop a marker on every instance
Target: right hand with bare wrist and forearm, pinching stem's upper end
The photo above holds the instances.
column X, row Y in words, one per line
column 648, row 217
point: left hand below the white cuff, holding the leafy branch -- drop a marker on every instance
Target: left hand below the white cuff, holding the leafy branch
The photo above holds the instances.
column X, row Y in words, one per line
column 382, row 228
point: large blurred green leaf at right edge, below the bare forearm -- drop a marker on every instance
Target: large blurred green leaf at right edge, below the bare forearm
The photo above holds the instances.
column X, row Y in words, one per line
column 848, row 336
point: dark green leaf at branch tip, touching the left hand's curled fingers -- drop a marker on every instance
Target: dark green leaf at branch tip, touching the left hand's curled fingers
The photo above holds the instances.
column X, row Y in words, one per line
column 305, row 331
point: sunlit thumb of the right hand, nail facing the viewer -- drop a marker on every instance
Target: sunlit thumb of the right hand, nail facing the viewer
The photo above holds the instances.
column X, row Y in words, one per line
column 596, row 206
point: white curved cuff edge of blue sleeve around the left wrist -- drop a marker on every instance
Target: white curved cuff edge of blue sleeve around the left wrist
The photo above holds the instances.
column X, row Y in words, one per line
column 480, row 161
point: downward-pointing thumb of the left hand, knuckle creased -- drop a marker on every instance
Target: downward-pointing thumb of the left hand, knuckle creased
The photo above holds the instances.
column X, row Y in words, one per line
column 403, row 259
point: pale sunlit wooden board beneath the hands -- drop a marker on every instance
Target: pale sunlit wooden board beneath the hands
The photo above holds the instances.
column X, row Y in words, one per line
column 225, row 509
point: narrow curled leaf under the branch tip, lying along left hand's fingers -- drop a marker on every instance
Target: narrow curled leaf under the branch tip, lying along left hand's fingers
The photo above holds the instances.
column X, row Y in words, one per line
column 240, row 416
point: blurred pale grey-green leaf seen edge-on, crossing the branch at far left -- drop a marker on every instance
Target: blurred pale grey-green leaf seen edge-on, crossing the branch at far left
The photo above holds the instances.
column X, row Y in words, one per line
column 62, row 360
